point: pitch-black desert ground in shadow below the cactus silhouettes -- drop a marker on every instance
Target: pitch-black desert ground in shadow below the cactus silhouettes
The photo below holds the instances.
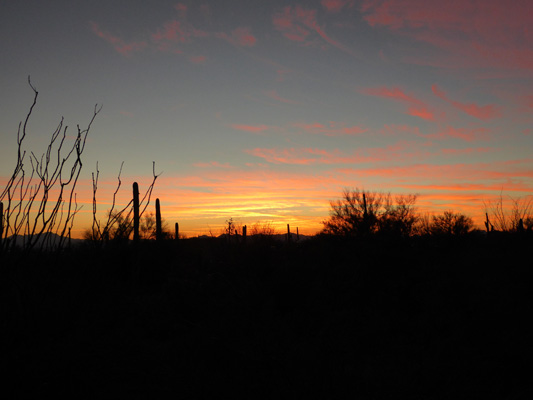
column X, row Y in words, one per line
column 321, row 319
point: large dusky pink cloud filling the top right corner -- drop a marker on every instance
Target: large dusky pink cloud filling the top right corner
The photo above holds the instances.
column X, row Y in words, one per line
column 495, row 33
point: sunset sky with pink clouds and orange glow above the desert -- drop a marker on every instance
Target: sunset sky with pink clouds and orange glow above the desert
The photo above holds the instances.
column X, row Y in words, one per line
column 264, row 111
